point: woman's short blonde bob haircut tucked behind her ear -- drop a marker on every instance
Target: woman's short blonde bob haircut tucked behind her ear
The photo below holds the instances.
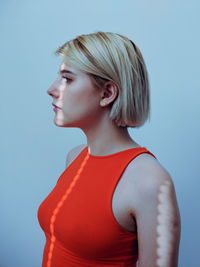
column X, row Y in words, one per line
column 108, row 56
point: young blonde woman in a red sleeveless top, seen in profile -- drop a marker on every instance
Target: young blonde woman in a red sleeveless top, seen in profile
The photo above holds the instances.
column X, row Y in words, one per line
column 114, row 204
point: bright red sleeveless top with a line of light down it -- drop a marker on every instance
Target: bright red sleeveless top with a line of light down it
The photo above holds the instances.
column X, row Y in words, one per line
column 77, row 216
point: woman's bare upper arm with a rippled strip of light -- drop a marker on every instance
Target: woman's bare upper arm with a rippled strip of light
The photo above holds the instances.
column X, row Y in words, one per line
column 158, row 219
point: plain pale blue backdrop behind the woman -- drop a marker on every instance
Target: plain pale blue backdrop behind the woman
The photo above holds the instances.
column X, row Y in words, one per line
column 34, row 149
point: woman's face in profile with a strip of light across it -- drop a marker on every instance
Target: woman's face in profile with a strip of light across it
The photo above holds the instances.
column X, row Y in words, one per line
column 78, row 100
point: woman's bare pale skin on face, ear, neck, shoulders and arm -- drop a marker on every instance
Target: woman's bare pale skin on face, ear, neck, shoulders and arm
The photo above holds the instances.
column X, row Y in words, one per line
column 144, row 200
